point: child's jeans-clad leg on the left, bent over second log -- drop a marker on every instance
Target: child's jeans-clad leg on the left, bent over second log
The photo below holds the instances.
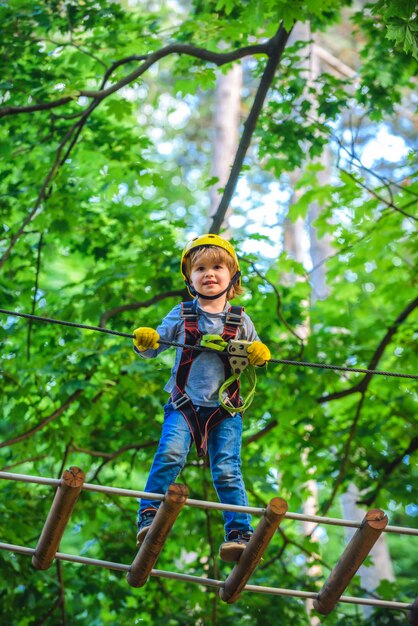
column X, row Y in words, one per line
column 170, row 457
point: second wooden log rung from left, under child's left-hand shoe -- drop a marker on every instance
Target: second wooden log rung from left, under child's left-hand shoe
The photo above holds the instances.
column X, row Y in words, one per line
column 155, row 538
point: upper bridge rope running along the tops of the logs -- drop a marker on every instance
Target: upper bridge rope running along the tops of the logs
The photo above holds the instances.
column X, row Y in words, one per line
column 203, row 504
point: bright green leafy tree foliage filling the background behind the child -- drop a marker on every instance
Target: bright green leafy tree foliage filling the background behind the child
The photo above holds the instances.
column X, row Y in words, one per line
column 98, row 194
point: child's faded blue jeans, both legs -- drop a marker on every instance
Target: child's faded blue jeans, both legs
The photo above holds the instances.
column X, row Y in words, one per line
column 224, row 449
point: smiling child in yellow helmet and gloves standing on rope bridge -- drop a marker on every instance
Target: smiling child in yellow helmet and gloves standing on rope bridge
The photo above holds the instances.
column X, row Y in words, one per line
column 211, row 271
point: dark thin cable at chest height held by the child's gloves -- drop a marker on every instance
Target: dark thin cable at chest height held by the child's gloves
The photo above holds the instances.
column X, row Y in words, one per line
column 339, row 368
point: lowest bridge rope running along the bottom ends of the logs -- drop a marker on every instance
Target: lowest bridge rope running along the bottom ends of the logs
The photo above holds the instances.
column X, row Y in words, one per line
column 209, row 582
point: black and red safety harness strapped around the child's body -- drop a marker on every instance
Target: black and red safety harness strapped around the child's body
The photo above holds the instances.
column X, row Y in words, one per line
column 179, row 398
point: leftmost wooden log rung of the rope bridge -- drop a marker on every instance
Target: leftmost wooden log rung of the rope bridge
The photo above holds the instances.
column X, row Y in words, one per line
column 63, row 504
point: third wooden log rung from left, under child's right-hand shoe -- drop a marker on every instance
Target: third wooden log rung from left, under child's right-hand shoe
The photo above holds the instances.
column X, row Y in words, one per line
column 237, row 579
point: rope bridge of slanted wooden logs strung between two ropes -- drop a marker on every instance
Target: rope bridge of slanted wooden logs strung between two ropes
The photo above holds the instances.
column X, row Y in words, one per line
column 72, row 483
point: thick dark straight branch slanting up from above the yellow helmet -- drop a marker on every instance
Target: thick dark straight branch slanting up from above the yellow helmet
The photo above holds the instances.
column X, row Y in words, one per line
column 276, row 46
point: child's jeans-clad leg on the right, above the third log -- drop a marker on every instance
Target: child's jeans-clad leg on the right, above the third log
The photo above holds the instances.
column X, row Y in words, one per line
column 225, row 460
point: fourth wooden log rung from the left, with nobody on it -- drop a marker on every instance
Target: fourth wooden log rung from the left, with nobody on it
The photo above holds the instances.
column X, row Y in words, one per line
column 353, row 556
